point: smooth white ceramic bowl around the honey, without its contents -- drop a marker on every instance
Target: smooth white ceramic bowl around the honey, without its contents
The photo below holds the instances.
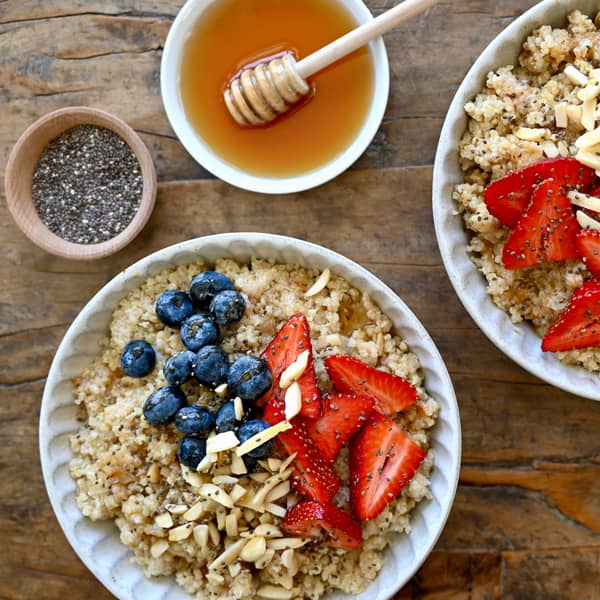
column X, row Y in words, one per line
column 201, row 151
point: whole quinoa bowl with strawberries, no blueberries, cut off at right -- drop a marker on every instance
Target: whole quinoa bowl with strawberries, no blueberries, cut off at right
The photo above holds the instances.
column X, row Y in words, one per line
column 514, row 193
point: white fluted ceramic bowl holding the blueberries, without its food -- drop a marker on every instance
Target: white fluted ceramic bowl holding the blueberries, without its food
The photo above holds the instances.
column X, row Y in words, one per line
column 97, row 544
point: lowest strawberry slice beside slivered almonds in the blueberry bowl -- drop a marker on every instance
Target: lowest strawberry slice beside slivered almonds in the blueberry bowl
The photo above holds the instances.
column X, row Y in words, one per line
column 310, row 519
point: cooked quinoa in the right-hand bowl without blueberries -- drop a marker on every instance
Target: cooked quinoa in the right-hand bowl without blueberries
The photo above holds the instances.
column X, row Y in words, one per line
column 514, row 97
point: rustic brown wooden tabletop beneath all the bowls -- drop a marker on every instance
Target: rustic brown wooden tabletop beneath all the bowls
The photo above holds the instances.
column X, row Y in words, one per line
column 526, row 521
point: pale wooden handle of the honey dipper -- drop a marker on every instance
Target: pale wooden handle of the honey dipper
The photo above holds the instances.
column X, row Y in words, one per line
column 360, row 36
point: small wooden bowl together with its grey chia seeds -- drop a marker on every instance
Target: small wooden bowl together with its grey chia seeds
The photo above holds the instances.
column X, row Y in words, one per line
column 80, row 183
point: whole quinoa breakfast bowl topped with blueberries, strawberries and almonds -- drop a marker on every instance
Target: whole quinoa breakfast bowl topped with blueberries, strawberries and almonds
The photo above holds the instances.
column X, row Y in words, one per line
column 229, row 514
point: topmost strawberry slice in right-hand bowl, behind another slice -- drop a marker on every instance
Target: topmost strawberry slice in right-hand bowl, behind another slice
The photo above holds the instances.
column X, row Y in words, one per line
column 510, row 195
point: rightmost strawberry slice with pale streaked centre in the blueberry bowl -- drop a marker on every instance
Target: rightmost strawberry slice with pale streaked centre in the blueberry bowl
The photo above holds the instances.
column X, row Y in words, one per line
column 383, row 459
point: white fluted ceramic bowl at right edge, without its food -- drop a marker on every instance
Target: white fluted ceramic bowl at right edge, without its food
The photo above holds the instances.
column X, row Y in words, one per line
column 520, row 342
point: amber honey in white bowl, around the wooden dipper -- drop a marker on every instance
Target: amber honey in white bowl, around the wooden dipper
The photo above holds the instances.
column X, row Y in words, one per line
column 234, row 33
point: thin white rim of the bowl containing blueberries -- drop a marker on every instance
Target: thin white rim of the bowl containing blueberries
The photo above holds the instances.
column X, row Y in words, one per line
column 167, row 257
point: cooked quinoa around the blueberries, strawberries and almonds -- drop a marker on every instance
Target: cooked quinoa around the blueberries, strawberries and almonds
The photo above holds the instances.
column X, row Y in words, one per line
column 127, row 469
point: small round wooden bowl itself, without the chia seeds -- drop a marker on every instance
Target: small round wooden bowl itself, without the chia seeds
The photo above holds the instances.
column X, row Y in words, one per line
column 21, row 166
